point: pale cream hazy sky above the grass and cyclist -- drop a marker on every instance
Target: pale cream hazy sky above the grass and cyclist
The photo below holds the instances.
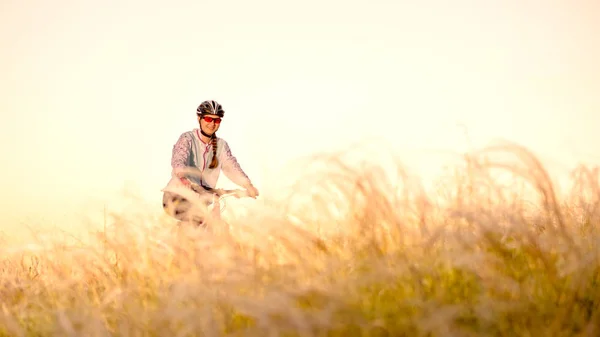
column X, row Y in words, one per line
column 95, row 93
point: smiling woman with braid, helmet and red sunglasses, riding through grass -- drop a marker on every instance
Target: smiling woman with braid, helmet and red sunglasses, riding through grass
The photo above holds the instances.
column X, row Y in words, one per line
column 198, row 158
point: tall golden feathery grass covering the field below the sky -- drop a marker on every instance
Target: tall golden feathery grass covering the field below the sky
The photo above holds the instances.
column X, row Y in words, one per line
column 495, row 251
